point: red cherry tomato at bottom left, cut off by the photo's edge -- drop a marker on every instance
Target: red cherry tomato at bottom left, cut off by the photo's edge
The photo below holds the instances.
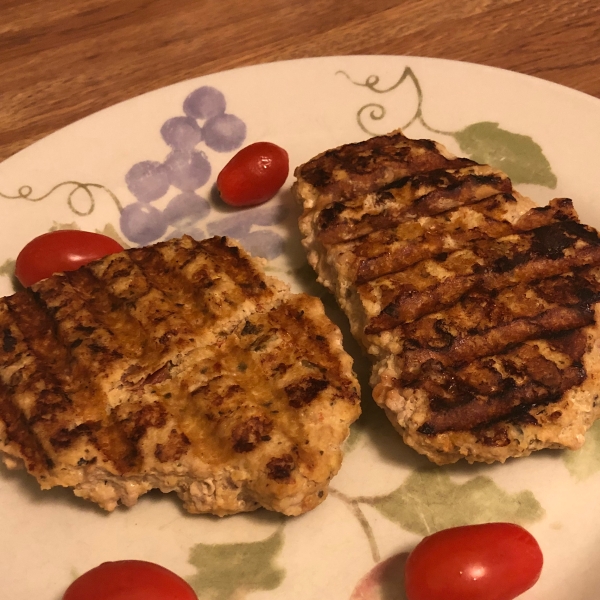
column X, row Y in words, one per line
column 129, row 580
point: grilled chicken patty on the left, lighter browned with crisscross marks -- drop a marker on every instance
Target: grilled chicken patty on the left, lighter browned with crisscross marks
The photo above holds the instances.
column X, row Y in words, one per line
column 178, row 366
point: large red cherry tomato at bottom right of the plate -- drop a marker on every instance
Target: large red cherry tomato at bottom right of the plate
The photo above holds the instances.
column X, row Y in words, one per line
column 495, row 561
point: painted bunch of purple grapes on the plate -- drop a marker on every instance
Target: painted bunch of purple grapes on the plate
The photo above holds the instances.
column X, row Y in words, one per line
column 184, row 171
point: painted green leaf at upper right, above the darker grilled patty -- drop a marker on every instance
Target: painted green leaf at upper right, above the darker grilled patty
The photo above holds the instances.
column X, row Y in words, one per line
column 517, row 155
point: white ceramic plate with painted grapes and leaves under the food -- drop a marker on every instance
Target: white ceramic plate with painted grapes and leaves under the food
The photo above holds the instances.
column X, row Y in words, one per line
column 386, row 497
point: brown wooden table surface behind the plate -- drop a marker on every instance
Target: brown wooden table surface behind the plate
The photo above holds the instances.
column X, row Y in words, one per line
column 61, row 60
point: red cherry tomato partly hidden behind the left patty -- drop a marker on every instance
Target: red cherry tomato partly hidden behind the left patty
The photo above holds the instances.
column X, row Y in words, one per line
column 60, row 251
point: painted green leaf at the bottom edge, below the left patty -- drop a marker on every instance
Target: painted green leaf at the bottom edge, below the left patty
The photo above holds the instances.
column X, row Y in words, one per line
column 226, row 571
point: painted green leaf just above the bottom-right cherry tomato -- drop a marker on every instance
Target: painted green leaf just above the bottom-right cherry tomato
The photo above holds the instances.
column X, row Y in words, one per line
column 429, row 501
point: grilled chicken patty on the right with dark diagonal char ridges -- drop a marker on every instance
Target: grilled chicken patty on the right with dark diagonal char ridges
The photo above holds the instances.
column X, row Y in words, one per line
column 478, row 309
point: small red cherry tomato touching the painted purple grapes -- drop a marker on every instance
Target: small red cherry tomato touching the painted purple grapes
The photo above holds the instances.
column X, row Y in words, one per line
column 254, row 175
